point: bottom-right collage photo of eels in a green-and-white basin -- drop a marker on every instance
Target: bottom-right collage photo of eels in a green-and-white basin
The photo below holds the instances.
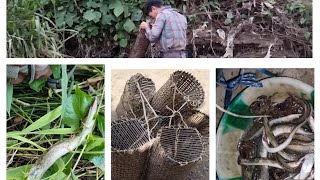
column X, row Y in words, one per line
column 265, row 124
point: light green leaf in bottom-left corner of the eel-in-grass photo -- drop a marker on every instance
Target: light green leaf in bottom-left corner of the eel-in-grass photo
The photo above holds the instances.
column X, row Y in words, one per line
column 18, row 173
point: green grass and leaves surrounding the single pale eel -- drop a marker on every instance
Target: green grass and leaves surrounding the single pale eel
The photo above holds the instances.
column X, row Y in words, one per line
column 38, row 120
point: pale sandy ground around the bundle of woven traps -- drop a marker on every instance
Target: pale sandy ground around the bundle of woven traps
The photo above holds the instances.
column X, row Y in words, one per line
column 120, row 77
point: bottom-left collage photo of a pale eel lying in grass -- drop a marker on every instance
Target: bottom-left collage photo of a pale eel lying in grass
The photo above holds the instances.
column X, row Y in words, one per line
column 55, row 122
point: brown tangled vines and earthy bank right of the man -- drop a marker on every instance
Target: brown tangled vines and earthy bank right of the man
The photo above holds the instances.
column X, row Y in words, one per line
column 256, row 27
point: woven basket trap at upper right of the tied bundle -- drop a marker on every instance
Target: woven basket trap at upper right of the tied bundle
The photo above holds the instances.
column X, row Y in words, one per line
column 181, row 88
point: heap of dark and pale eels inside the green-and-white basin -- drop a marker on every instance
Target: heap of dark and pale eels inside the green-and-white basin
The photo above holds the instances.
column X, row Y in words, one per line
column 280, row 143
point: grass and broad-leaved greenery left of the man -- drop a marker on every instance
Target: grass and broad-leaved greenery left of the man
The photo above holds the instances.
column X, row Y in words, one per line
column 83, row 28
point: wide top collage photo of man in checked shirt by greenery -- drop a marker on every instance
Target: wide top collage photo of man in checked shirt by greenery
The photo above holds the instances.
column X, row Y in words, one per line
column 159, row 29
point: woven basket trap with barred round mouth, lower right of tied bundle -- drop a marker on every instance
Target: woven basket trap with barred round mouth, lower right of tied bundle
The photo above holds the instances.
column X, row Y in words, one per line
column 174, row 153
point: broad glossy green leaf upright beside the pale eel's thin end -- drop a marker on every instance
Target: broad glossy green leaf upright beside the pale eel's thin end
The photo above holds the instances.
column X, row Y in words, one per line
column 77, row 108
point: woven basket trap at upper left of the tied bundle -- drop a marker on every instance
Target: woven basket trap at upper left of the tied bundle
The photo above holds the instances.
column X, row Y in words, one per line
column 130, row 104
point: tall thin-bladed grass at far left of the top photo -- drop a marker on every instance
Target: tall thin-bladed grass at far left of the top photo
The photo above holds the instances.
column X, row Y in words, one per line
column 31, row 34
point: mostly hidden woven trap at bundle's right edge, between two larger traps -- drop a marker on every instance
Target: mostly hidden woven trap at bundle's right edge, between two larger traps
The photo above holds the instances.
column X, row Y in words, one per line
column 199, row 120
